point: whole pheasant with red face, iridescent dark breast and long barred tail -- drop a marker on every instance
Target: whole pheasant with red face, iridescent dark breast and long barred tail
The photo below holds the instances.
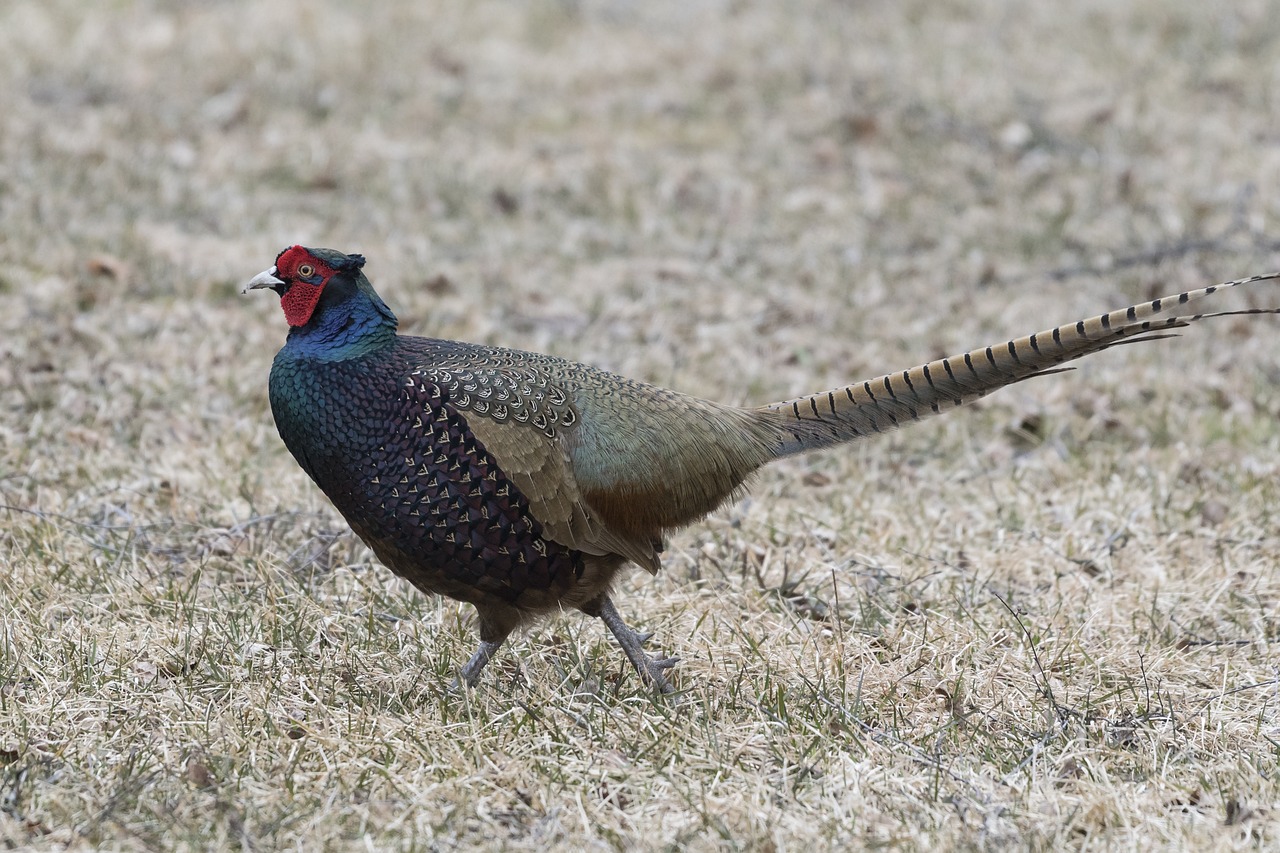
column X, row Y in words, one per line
column 524, row 483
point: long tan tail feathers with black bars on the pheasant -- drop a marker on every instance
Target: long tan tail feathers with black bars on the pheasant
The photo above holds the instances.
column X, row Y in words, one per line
column 899, row 399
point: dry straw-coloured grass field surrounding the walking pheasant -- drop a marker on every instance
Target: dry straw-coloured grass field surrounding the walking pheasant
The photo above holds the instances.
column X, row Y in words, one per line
column 1046, row 622
